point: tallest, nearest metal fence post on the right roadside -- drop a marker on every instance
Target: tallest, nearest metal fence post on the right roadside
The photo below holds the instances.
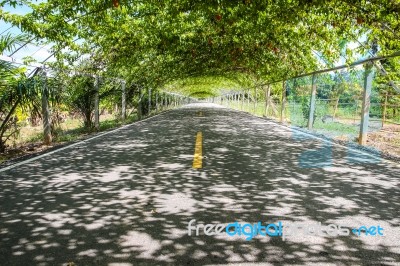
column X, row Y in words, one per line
column 368, row 76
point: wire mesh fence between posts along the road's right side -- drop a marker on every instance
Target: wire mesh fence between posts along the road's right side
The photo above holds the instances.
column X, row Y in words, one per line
column 337, row 106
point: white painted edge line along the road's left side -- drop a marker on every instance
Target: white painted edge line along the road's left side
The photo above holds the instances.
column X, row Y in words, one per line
column 77, row 143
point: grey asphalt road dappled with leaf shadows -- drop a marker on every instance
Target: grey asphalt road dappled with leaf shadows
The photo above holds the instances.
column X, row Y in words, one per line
column 126, row 198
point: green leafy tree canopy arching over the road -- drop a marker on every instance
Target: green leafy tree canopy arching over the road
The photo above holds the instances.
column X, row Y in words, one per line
column 162, row 44
